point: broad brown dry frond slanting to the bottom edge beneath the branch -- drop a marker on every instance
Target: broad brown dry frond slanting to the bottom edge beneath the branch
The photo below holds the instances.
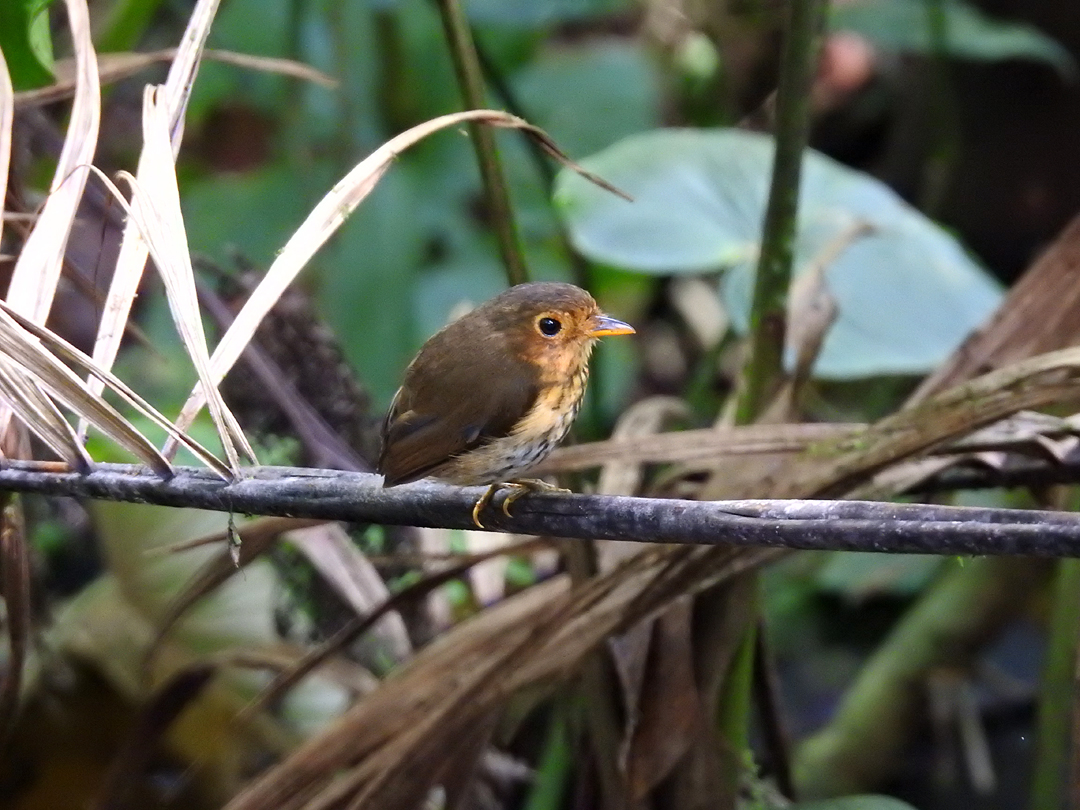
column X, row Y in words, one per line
column 386, row 751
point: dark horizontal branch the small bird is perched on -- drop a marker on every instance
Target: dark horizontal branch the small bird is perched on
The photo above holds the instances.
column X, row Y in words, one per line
column 360, row 498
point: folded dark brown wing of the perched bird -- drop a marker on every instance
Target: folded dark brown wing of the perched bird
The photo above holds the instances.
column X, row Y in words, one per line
column 445, row 410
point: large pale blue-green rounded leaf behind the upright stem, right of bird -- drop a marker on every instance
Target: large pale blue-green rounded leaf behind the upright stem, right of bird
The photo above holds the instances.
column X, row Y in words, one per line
column 908, row 293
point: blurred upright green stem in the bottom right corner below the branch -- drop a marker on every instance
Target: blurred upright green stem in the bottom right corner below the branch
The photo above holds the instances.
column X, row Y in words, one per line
column 1058, row 695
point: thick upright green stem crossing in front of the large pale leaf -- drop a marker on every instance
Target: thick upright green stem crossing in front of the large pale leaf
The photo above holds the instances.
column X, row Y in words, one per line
column 798, row 66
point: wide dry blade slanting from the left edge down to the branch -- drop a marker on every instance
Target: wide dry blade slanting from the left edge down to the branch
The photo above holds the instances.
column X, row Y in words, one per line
column 65, row 386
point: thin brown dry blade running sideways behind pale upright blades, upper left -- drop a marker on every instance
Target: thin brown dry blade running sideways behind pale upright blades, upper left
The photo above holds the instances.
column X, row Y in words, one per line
column 114, row 67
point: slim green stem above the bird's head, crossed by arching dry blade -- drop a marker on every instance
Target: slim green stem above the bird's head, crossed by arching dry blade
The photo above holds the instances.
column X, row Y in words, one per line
column 471, row 79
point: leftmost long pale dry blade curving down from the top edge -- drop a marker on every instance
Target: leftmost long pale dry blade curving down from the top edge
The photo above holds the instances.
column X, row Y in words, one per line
column 38, row 269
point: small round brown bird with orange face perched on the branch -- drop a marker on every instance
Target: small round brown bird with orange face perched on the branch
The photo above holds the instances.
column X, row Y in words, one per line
column 491, row 395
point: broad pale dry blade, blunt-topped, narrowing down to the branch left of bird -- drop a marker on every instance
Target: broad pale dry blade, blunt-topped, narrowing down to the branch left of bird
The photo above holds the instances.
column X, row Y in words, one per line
column 156, row 206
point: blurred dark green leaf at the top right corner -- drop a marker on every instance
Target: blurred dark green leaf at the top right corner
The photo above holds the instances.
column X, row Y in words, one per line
column 906, row 25
